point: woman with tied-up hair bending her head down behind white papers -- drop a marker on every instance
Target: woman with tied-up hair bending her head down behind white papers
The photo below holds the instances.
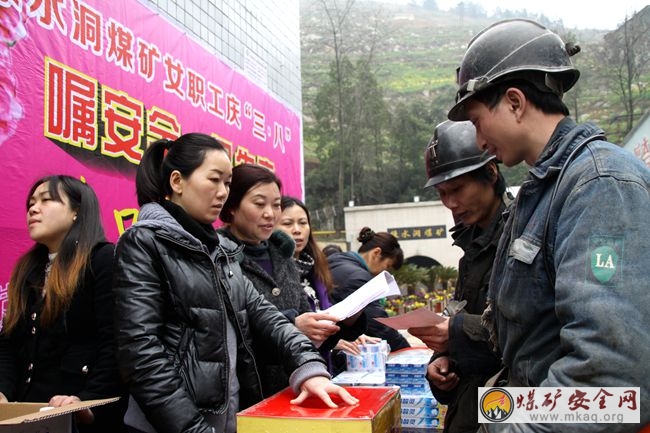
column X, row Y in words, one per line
column 378, row 252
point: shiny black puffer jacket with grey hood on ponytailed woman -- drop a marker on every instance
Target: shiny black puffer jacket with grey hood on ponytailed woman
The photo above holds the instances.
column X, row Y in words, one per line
column 172, row 304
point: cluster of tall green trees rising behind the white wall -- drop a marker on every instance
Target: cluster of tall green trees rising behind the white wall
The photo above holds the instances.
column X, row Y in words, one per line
column 349, row 130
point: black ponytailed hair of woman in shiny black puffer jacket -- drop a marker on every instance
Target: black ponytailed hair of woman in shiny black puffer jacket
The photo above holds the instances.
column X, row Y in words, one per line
column 184, row 154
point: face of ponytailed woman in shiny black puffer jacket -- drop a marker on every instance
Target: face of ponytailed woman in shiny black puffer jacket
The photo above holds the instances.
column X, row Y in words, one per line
column 204, row 192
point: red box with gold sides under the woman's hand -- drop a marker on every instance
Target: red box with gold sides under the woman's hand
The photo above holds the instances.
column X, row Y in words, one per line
column 378, row 411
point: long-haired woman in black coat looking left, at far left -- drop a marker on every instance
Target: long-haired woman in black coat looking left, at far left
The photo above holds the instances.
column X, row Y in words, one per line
column 57, row 343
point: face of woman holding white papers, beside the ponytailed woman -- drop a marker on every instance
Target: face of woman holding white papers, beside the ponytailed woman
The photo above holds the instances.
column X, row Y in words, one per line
column 258, row 212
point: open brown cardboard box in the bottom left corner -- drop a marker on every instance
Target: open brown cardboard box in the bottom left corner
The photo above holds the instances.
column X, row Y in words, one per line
column 30, row 418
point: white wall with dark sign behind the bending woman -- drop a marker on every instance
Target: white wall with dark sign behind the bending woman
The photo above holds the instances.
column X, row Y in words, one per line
column 417, row 214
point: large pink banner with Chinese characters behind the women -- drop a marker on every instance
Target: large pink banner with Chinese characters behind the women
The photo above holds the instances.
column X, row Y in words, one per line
column 85, row 85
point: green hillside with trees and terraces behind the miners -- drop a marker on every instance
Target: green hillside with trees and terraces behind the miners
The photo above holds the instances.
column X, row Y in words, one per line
column 377, row 78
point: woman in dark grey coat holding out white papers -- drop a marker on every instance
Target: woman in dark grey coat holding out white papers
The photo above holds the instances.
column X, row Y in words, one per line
column 251, row 213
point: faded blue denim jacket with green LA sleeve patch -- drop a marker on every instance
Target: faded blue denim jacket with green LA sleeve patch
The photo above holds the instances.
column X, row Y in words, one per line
column 590, row 326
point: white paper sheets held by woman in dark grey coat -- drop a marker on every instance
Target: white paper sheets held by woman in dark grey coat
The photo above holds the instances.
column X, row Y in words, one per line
column 380, row 286
